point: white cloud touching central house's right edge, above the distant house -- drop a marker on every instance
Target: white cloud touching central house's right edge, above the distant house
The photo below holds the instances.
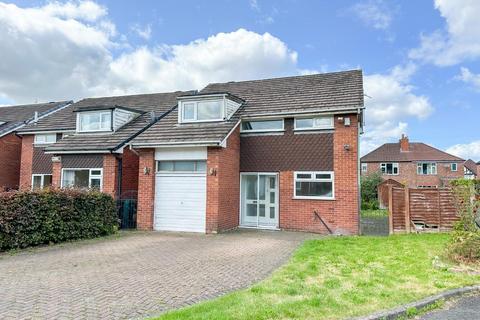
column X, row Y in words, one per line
column 390, row 103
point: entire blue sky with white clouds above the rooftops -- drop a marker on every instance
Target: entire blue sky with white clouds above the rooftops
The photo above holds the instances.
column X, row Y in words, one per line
column 421, row 59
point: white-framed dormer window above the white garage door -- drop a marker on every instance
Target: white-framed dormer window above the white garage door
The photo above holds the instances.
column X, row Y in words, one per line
column 209, row 110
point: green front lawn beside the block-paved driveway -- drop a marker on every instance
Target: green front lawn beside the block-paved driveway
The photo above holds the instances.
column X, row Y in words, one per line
column 337, row 278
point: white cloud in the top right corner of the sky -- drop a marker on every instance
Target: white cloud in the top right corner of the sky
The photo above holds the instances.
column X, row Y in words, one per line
column 460, row 39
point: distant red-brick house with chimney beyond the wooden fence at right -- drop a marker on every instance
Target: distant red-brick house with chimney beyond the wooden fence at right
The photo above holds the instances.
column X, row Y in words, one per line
column 416, row 165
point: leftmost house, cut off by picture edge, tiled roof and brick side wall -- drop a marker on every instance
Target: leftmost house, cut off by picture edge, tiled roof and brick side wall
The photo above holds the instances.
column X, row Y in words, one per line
column 12, row 118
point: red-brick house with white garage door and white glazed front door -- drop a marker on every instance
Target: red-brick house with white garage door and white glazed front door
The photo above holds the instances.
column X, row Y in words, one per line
column 276, row 153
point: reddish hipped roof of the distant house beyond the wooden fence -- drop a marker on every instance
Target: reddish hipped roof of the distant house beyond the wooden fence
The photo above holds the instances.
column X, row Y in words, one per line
column 418, row 152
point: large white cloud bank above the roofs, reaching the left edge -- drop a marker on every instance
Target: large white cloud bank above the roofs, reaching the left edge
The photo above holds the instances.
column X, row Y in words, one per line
column 53, row 52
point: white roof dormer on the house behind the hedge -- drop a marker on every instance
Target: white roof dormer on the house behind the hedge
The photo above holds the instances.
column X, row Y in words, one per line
column 98, row 119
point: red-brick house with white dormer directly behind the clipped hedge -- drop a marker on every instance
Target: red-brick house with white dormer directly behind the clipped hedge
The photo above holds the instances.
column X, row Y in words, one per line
column 85, row 144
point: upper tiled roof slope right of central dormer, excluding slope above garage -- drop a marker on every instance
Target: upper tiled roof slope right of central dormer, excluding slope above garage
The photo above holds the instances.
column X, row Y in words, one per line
column 309, row 93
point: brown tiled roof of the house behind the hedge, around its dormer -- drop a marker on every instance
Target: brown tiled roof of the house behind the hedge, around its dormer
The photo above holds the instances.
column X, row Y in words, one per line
column 159, row 103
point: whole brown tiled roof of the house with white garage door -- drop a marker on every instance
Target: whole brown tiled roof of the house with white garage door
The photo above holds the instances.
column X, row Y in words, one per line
column 310, row 93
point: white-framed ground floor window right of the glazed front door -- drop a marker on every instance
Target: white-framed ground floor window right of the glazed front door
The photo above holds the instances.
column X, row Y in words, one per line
column 314, row 185
